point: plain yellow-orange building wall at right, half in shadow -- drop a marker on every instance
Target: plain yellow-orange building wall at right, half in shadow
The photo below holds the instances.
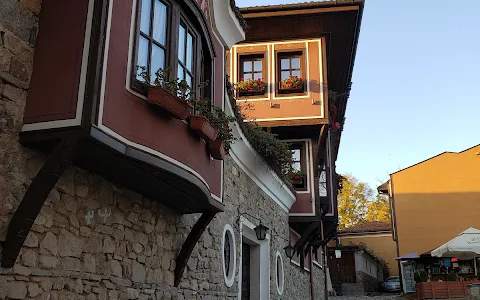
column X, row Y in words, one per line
column 436, row 200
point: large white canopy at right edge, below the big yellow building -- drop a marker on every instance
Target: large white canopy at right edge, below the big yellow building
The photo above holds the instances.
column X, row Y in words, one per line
column 465, row 246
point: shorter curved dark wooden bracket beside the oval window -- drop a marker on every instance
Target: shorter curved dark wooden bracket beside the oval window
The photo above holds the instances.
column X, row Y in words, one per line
column 190, row 242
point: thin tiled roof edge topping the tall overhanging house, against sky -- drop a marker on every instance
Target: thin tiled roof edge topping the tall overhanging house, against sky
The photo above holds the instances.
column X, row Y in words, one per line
column 303, row 5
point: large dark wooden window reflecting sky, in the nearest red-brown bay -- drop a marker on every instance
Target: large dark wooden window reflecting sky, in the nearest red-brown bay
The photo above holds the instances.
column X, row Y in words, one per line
column 167, row 37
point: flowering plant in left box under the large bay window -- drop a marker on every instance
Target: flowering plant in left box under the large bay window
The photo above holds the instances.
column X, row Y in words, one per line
column 162, row 79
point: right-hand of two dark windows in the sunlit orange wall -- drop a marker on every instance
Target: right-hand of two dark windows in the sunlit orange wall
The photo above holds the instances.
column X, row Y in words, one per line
column 290, row 64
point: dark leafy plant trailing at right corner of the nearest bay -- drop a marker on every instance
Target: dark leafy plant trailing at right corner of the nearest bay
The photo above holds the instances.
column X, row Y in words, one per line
column 218, row 118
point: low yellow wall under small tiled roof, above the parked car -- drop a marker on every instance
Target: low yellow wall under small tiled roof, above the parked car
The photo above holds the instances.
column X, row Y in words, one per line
column 382, row 244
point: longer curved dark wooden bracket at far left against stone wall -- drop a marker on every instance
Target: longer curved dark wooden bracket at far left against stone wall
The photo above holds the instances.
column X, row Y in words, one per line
column 35, row 197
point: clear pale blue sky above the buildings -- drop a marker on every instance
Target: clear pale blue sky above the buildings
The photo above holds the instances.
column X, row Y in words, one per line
column 416, row 83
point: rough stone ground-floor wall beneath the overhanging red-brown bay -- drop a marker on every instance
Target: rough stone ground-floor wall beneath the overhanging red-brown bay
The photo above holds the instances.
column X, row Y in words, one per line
column 97, row 240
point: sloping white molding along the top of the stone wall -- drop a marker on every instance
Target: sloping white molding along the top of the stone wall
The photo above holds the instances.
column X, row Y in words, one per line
column 255, row 167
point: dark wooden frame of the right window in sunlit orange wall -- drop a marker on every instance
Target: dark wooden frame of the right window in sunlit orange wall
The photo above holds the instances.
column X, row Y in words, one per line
column 279, row 54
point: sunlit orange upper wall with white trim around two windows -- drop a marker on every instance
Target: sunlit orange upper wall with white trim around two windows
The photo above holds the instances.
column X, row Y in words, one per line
column 284, row 107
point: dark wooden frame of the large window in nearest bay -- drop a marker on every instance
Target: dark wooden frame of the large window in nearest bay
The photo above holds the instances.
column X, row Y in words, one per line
column 176, row 15
